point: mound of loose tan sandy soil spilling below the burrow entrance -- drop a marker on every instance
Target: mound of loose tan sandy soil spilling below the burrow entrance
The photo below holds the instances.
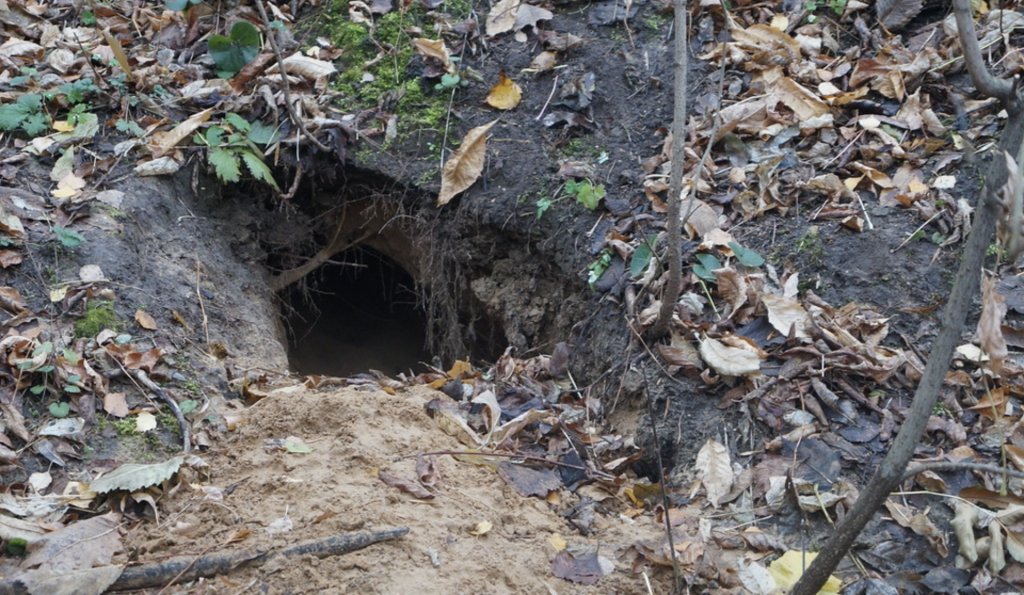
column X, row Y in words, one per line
column 354, row 435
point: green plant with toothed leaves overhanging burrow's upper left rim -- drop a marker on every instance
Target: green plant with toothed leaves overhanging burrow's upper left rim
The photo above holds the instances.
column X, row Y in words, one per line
column 235, row 144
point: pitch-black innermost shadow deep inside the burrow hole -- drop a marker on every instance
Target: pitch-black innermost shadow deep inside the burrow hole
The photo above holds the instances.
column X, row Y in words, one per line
column 358, row 317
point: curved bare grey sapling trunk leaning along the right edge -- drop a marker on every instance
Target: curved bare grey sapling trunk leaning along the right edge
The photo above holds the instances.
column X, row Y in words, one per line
column 889, row 475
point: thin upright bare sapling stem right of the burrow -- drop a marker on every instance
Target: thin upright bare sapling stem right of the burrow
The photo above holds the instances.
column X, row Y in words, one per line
column 674, row 231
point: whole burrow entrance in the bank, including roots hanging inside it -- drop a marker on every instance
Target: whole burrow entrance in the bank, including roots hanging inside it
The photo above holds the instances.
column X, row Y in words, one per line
column 378, row 292
